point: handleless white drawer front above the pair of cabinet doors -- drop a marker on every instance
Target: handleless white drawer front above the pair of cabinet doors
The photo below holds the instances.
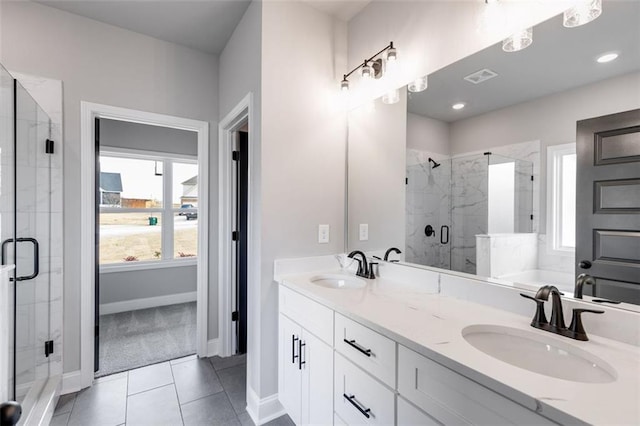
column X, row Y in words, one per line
column 311, row 315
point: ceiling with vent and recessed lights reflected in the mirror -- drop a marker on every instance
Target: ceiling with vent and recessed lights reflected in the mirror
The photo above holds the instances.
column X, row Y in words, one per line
column 559, row 59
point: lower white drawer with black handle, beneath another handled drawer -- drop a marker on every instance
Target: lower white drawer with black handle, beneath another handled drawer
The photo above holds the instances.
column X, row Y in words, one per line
column 359, row 398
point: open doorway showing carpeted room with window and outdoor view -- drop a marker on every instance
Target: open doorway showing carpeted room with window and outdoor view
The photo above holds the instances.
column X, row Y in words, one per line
column 146, row 244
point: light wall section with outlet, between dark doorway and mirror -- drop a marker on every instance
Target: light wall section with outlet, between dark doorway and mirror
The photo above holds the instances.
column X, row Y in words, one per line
column 303, row 151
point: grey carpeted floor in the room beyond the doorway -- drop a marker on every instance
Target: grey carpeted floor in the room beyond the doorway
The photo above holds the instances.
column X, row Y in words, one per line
column 137, row 338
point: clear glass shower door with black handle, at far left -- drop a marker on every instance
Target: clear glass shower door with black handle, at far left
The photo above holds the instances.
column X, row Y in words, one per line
column 31, row 246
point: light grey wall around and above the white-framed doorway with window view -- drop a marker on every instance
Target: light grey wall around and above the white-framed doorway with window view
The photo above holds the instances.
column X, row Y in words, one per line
column 104, row 64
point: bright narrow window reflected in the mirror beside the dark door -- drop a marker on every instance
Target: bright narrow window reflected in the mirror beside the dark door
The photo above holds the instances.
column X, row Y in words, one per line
column 561, row 197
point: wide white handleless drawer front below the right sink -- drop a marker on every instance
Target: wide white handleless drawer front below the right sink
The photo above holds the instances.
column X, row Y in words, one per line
column 452, row 398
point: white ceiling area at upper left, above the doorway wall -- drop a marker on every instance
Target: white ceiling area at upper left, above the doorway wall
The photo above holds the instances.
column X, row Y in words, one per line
column 204, row 25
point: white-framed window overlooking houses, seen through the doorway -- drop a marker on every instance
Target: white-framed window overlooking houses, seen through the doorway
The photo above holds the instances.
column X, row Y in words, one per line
column 148, row 209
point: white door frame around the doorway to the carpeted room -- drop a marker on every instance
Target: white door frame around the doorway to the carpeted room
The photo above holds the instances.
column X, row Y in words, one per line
column 89, row 112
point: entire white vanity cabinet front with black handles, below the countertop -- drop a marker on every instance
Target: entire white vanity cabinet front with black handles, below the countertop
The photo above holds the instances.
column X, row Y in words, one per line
column 334, row 370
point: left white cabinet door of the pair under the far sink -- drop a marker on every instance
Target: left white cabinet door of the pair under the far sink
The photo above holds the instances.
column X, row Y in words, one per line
column 289, row 374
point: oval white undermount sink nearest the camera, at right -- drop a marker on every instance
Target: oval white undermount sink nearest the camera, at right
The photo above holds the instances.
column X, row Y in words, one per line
column 536, row 353
